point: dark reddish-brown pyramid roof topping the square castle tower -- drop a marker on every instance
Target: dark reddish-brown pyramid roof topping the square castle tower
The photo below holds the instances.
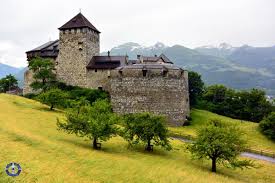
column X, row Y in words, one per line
column 79, row 21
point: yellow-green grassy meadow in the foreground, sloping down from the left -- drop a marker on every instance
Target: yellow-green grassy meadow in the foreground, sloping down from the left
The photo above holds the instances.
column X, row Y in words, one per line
column 28, row 136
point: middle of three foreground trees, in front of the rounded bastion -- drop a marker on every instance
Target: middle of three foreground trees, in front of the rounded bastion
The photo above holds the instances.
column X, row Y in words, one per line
column 147, row 128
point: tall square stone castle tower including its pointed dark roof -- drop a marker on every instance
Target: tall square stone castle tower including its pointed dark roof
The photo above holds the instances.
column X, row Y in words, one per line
column 78, row 43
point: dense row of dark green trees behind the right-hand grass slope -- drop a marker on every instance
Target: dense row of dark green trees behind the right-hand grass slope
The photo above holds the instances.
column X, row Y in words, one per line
column 247, row 105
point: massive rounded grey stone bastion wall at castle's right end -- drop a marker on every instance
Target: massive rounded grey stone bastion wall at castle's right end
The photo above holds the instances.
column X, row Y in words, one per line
column 167, row 94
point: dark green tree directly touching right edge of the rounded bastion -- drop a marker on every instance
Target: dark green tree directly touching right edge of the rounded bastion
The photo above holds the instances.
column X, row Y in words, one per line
column 196, row 87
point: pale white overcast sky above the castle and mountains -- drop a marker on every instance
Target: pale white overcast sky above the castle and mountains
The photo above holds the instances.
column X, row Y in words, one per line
column 191, row 23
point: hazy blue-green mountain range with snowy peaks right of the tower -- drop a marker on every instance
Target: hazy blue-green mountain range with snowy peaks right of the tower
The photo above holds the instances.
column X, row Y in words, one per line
column 223, row 64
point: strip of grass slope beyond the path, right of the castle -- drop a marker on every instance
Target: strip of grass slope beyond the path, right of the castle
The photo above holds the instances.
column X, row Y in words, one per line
column 256, row 140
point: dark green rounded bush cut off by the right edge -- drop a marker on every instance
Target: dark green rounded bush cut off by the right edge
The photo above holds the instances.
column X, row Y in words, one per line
column 267, row 126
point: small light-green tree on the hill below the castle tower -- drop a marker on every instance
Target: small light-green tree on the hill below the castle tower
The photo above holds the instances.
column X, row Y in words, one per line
column 53, row 98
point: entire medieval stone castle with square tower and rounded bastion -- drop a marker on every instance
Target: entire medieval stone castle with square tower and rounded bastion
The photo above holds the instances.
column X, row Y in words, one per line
column 148, row 84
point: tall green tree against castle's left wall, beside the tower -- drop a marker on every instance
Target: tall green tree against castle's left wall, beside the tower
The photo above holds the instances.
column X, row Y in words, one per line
column 43, row 73
